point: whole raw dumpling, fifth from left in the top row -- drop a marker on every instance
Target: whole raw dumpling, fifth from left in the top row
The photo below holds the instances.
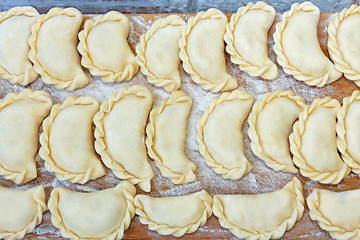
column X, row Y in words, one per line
column 202, row 51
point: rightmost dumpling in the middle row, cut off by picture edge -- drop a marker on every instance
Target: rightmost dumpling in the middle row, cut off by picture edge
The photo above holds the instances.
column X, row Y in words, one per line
column 348, row 129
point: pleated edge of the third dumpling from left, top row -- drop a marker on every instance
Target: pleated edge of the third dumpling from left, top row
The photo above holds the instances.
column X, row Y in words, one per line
column 106, row 75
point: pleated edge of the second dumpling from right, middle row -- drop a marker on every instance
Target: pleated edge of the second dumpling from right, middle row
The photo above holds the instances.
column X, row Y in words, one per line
column 295, row 140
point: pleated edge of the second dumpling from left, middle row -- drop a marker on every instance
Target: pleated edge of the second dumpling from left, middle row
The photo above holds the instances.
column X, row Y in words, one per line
column 45, row 152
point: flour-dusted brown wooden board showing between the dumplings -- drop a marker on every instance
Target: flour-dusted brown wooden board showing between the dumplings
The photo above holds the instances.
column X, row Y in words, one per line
column 261, row 179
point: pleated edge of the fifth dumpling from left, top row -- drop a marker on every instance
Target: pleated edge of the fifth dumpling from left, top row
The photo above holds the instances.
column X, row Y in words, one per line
column 212, row 13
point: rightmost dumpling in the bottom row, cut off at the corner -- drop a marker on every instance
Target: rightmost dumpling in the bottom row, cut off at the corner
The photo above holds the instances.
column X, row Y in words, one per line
column 337, row 212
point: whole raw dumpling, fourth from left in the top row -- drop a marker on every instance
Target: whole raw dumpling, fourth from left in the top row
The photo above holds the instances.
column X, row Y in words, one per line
column 158, row 53
